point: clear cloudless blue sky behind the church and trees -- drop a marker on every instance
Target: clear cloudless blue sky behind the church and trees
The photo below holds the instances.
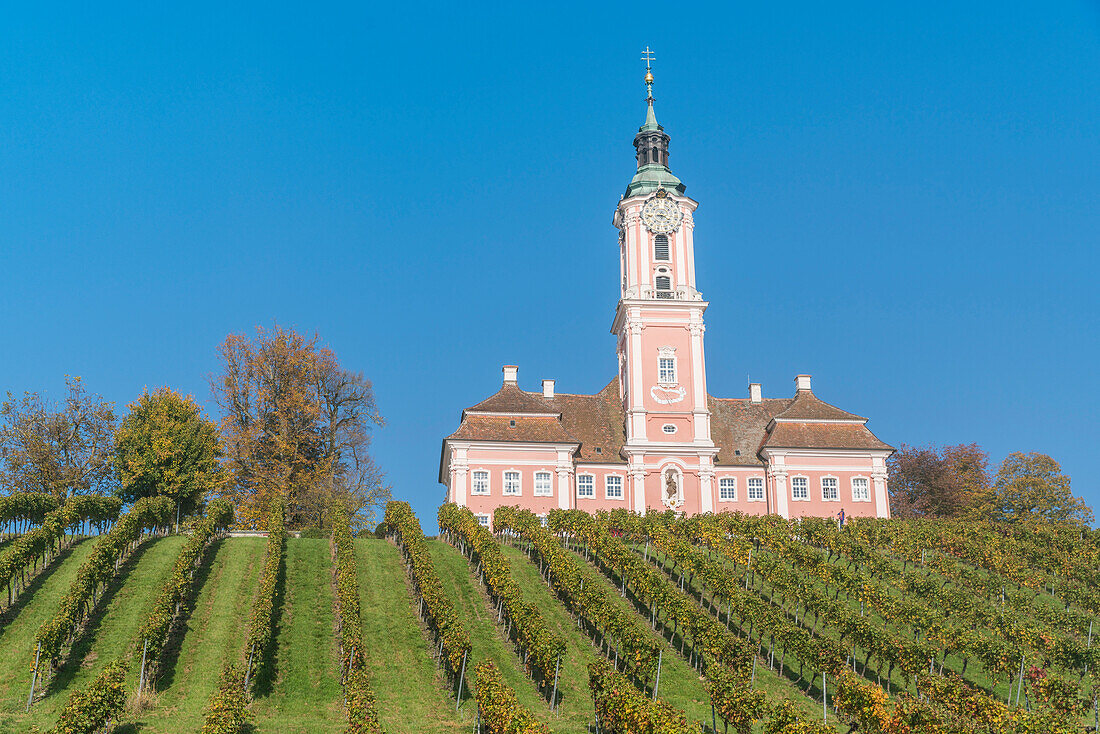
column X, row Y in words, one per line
column 901, row 200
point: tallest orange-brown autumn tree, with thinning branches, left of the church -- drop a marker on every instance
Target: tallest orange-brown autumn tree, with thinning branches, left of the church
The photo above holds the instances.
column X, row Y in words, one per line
column 296, row 425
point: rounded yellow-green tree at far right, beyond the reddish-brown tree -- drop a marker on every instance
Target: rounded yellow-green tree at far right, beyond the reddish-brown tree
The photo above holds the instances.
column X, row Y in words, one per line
column 1031, row 487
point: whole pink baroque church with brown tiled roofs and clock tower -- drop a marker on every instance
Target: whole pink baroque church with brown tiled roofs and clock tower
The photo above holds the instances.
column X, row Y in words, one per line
column 654, row 439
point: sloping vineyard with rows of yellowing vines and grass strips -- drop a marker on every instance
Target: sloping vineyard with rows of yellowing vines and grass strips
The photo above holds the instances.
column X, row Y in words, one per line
column 111, row 620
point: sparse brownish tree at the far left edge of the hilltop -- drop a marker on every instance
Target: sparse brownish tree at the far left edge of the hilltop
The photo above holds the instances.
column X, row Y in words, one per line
column 58, row 450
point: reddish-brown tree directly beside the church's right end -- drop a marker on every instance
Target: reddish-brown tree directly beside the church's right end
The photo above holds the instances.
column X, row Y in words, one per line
column 938, row 483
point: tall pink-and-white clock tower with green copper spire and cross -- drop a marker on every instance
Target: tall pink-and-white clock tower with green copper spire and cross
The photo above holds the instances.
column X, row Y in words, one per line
column 659, row 330
